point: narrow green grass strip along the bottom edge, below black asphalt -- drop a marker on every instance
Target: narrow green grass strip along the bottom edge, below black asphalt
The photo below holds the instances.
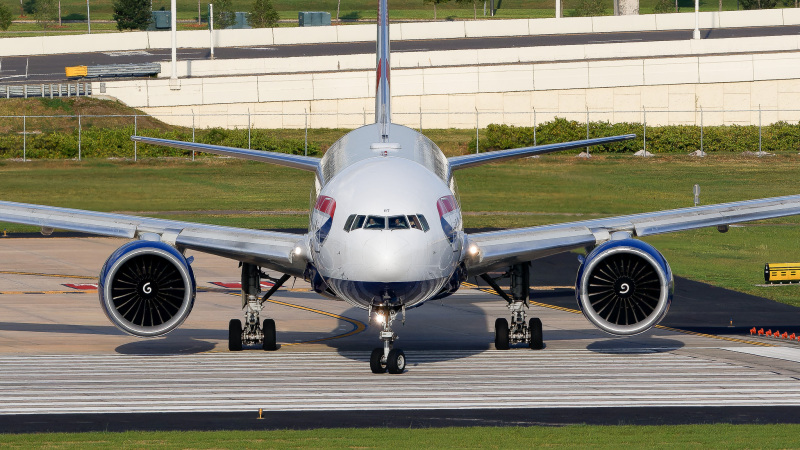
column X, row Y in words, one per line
column 612, row 437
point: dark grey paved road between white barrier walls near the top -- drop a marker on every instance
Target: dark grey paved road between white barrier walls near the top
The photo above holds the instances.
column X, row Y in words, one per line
column 51, row 67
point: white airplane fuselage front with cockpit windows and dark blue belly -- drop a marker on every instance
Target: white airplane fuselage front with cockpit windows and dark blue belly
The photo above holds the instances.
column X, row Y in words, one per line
column 386, row 227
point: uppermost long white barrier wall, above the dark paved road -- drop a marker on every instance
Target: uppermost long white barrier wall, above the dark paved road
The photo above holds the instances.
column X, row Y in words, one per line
column 401, row 31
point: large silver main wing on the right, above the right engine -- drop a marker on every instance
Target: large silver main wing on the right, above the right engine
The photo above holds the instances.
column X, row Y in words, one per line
column 491, row 250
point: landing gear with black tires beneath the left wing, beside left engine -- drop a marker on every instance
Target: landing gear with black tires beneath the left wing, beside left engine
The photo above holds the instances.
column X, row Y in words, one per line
column 253, row 332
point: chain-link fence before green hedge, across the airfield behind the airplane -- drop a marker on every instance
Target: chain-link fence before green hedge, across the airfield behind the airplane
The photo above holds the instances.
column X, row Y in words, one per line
column 104, row 136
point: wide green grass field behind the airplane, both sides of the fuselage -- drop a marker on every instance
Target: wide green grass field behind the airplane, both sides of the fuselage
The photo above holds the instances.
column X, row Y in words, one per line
column 551, row 189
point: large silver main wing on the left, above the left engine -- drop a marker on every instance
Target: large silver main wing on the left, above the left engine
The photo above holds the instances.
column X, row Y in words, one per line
column 266, row 248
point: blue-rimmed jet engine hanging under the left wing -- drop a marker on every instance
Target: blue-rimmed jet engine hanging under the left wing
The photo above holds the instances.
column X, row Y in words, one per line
column 147, row 288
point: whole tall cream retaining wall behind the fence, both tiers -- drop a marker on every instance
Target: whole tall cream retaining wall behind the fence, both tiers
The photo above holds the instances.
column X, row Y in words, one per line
column 448, row 96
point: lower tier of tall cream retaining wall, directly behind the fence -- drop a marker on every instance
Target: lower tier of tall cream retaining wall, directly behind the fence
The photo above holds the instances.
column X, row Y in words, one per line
column 725, row 103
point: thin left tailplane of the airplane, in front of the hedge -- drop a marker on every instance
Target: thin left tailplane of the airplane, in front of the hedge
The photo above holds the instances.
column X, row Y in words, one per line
column 301, row 162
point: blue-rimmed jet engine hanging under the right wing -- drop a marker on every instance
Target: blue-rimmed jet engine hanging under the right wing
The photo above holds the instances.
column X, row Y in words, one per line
column 624, row 287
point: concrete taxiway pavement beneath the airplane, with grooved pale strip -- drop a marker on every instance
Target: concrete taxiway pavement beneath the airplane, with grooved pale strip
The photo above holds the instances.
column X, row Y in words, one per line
column 67, row 367
